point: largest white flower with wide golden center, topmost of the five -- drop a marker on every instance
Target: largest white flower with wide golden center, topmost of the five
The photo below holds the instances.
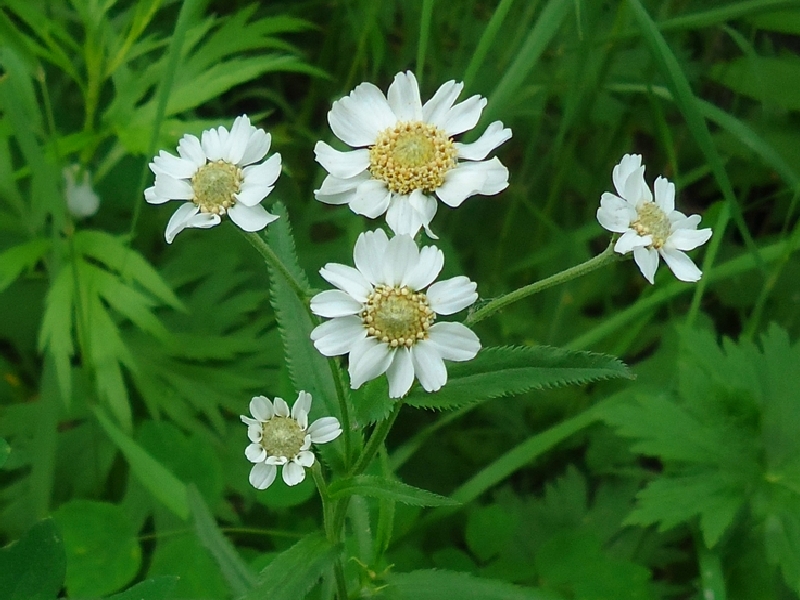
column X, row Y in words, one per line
column 406, row 153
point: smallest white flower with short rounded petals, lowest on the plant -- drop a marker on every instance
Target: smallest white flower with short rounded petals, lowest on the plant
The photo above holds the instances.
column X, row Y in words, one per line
column 280, row 437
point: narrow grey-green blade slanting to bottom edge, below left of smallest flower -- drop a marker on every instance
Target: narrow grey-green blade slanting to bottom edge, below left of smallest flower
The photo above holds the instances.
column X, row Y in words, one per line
column 236, row 572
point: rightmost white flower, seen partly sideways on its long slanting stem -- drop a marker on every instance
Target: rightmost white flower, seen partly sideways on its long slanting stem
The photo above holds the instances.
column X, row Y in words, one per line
column 650, row 228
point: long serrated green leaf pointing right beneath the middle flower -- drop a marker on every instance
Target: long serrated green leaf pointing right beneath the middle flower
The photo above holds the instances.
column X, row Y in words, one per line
column 508, row 371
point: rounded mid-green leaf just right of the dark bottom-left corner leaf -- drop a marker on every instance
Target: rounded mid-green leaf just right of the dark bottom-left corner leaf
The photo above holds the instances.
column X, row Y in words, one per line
column 103, row 553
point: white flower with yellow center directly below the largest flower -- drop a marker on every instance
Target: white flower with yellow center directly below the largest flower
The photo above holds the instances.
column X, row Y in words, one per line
column 381, row 317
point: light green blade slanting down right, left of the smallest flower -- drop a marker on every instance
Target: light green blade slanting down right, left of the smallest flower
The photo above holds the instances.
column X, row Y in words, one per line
column 159, row 481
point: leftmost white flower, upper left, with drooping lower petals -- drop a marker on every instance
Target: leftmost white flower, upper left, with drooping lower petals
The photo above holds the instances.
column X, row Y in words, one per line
column 216, row 175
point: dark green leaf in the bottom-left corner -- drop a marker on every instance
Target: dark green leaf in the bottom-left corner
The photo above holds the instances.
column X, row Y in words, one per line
column 33, row 567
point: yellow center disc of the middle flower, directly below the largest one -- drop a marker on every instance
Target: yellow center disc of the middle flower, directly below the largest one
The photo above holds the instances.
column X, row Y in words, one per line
column 397, row 316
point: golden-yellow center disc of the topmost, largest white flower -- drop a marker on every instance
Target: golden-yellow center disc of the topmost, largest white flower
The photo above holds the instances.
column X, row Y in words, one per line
column 412, row 156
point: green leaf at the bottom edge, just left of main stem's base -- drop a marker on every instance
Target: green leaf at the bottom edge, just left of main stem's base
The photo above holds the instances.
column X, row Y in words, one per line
column 295, row 571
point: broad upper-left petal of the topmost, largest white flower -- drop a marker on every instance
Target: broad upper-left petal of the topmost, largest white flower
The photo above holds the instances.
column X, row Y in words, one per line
column 358, row 118
